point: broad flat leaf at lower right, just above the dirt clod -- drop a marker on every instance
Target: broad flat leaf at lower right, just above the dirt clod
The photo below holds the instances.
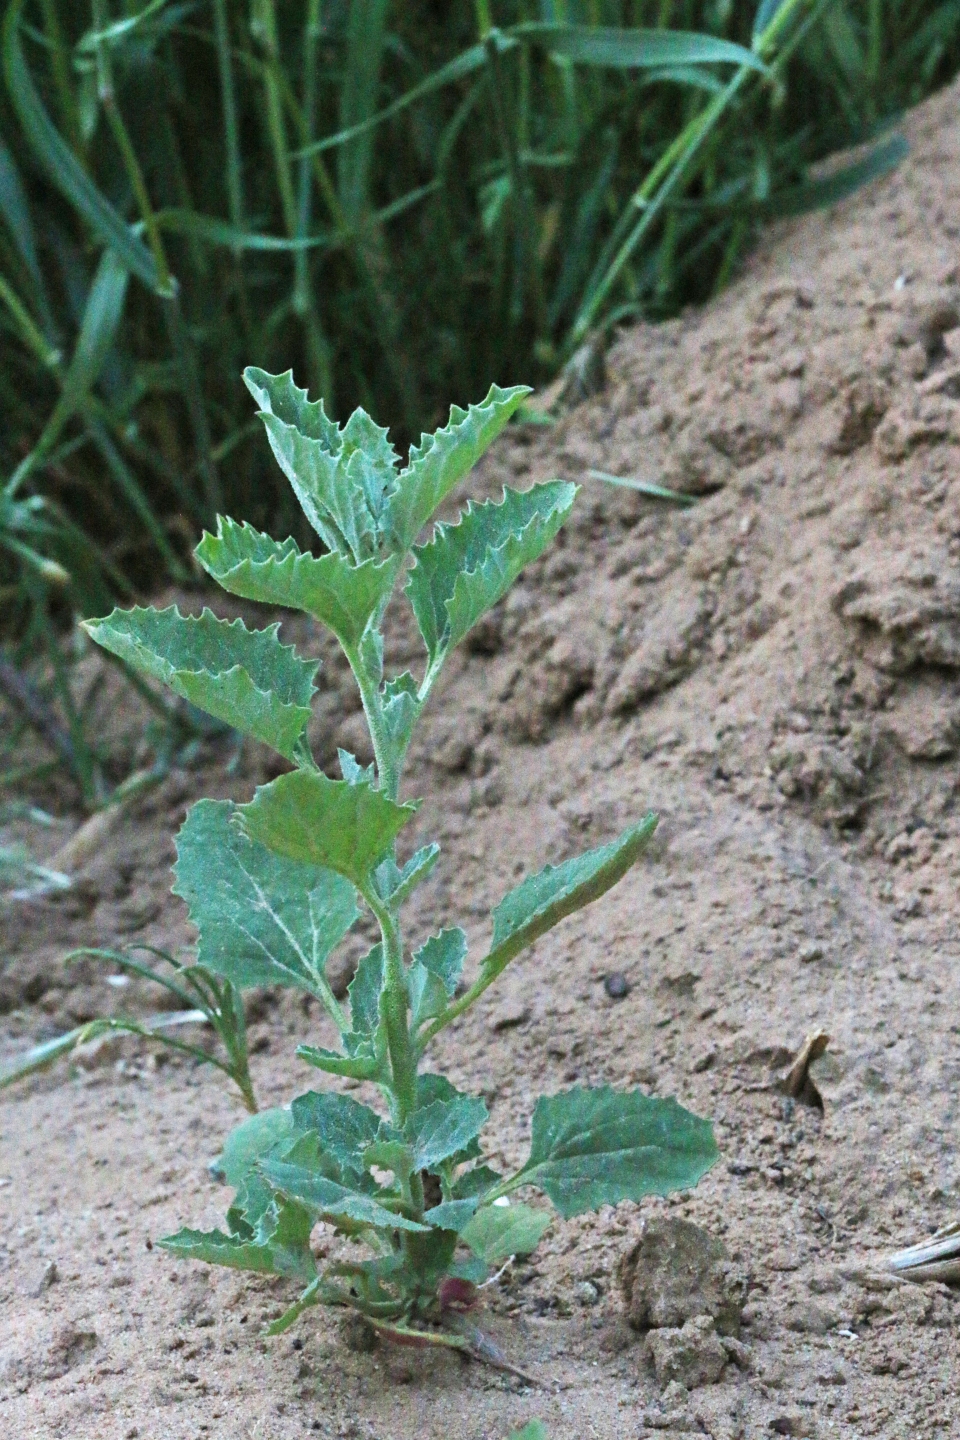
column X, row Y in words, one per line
column 597, row 1148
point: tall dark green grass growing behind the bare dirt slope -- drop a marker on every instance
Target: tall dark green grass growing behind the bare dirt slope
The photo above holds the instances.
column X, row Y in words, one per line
column 402, row 202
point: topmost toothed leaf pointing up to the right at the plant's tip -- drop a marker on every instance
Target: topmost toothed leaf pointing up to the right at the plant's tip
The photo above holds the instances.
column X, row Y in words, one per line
column 441, row 462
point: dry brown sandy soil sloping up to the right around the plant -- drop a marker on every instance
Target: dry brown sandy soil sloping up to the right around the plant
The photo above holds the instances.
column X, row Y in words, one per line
column 776, row 673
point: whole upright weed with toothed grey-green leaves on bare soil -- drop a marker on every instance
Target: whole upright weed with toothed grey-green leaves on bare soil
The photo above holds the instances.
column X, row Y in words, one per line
column 276, row 885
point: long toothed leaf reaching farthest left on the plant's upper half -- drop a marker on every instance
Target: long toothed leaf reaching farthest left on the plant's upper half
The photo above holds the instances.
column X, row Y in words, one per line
column 244, row 678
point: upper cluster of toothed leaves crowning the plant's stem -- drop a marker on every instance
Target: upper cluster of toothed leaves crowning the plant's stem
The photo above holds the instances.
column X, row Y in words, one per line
column 369, row 510
